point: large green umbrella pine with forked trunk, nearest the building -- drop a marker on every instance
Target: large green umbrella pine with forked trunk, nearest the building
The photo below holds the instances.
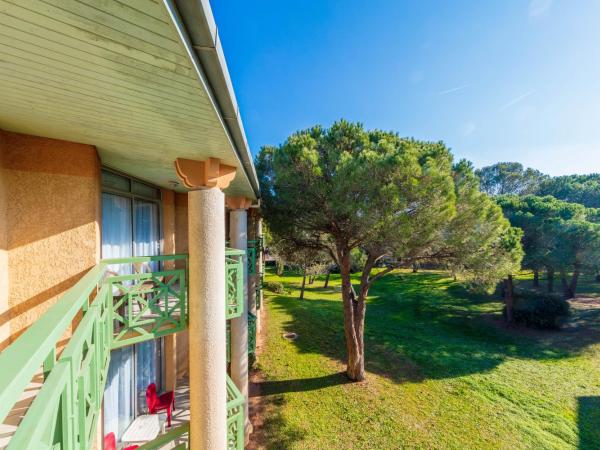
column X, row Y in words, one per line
column 399, row 200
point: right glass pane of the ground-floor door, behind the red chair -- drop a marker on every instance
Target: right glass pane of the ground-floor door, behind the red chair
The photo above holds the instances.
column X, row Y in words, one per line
column 147, row 371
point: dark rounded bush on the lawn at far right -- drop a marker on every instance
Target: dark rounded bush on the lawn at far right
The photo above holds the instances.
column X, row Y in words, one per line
column 542, row 311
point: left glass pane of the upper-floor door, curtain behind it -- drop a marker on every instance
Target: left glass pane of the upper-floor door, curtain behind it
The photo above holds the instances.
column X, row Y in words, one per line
column 116, row 230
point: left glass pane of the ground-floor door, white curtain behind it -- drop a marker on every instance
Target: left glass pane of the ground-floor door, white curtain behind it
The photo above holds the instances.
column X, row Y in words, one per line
column 118, row 405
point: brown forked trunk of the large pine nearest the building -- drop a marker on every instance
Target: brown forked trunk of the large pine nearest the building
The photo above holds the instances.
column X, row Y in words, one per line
column 354, row 318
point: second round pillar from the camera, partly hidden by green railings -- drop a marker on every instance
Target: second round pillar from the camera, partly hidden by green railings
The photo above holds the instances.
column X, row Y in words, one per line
column 238, row 237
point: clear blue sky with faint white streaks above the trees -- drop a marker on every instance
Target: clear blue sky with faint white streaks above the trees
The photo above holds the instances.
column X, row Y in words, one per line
column 504, row 80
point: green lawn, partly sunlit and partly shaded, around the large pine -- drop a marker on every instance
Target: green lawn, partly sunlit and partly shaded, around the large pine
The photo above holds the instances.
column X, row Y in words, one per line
column 442, row 373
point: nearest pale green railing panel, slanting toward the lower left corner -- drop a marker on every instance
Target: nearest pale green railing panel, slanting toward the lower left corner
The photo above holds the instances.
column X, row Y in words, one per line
column 65, row 411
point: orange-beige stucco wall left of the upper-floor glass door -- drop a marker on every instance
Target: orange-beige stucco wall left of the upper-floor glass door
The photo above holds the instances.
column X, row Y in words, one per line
column 52, row 223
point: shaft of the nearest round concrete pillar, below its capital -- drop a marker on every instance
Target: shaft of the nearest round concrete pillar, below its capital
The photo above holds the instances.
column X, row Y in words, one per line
column 207, row 340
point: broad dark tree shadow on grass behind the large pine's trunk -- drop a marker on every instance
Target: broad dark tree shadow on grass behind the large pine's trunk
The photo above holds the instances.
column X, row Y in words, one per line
column 417, row 326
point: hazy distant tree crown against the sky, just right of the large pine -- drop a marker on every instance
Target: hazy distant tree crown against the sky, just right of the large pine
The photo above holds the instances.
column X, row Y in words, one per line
column 506, row 178
